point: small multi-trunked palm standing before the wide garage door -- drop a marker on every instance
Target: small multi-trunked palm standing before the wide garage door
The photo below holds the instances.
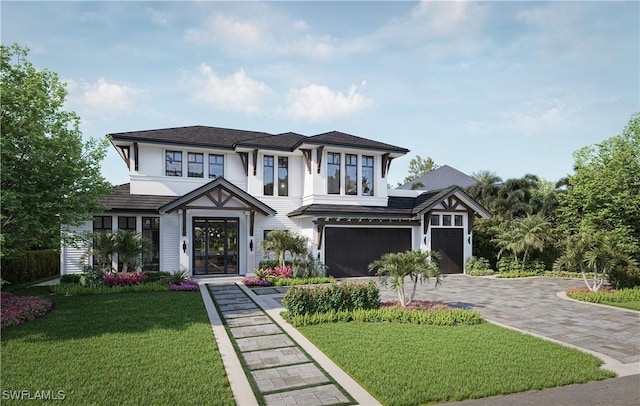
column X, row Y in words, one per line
column 419, row 266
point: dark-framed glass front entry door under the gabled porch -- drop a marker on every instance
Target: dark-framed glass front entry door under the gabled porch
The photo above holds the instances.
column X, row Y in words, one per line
column 215, row 246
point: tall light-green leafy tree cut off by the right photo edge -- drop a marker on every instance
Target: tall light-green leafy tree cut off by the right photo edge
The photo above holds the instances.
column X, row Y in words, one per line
column 604, row 191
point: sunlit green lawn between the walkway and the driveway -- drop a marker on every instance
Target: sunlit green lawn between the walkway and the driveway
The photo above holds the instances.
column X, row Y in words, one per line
column 408, row 364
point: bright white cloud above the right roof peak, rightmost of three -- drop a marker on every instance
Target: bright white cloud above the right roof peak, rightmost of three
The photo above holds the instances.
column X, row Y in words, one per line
column 318, row 103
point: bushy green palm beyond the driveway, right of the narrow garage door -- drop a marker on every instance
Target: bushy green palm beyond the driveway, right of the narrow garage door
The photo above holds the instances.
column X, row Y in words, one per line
column 524, row 235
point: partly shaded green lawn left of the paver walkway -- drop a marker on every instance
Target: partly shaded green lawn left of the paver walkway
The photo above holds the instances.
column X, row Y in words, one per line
column 133, row 348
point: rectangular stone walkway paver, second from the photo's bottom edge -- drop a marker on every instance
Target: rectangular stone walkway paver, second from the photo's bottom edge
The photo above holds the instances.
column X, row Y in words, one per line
column 273, row 379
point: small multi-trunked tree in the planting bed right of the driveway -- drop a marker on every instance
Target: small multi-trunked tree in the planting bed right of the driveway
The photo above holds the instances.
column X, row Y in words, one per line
column 595, row 254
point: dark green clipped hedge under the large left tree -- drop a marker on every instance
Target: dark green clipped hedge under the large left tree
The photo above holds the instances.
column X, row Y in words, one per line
column 31, row 266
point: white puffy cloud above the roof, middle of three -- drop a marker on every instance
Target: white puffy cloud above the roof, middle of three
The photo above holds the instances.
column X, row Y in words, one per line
column 236, row 92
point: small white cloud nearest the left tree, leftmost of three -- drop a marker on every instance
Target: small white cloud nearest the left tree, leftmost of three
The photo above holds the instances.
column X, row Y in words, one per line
column 103, row 97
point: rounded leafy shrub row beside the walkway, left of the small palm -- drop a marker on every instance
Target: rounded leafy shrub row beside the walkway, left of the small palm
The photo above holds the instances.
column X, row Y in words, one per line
column 334, row 297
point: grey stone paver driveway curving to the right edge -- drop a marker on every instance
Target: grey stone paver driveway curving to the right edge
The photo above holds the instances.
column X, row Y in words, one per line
column 531, row 304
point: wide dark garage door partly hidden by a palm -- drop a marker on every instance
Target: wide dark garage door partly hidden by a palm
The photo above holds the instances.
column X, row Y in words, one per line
column 348, row 251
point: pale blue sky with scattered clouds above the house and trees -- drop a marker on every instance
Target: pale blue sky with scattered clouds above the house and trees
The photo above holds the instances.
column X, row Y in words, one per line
column 510, row 87
